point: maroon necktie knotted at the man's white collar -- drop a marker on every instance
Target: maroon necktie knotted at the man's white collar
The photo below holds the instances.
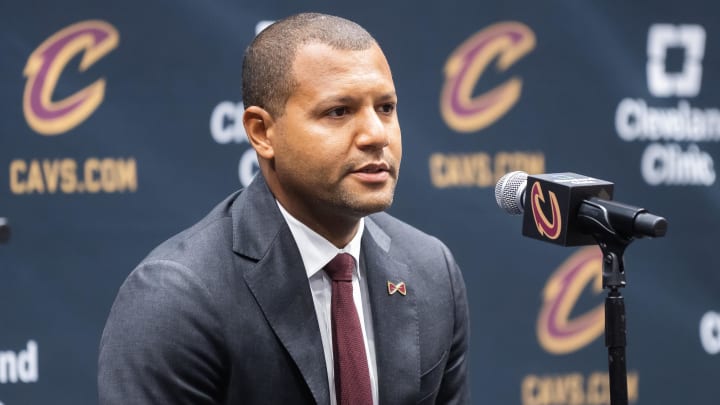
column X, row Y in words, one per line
column 352, row 378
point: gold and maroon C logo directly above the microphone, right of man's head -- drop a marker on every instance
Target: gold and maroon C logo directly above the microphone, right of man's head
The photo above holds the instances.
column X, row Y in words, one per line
column 507, row 42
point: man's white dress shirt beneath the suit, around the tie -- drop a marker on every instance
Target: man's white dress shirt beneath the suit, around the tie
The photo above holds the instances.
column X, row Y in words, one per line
column 316, row 252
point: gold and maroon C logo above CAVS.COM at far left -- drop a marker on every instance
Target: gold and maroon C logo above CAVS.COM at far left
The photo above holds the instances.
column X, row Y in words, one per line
column 94, row 39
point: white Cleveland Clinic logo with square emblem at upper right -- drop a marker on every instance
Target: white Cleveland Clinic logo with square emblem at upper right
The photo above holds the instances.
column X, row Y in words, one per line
column 674, row 128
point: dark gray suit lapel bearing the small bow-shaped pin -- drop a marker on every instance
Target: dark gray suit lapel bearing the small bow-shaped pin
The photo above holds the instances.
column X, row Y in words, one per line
column 395, row 320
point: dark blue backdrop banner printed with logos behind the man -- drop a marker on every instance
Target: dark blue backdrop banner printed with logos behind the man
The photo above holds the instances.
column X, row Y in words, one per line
column 120, row 125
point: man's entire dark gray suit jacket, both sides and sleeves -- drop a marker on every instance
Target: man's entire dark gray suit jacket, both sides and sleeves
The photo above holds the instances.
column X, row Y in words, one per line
column 222, row 314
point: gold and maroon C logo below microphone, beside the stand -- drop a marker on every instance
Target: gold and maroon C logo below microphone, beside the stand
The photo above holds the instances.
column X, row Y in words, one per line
column 557, row 332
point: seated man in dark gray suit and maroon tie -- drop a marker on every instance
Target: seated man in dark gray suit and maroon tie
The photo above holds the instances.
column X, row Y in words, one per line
column 237, row 309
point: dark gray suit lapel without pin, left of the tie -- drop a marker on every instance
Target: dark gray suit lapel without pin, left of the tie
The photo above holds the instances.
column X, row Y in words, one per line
column 279, row 282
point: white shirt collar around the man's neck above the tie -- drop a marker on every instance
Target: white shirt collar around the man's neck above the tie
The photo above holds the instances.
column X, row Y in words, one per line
column 315, row 250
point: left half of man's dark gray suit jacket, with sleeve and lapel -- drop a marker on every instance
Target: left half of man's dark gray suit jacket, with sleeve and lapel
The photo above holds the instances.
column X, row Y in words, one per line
column 219, row 313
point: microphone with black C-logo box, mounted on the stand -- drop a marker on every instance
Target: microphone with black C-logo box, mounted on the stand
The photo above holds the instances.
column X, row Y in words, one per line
column 568, row 209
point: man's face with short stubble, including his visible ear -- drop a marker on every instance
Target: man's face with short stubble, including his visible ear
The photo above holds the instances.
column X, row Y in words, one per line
column 337, row 146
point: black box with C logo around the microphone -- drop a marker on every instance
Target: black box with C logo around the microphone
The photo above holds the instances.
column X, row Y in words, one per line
column 551, row 205
